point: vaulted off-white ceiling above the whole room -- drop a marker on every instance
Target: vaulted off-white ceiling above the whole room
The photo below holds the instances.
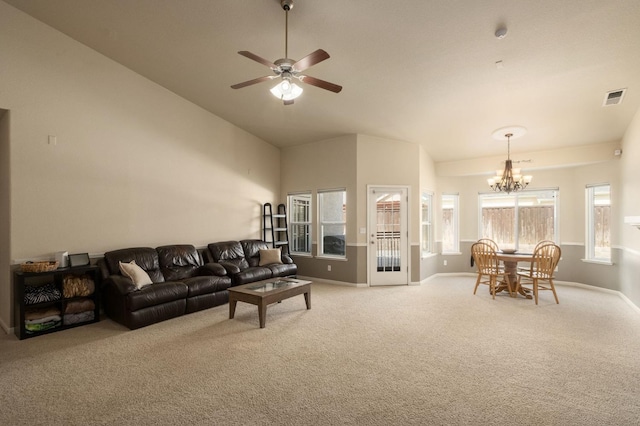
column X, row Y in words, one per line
column 422, row 71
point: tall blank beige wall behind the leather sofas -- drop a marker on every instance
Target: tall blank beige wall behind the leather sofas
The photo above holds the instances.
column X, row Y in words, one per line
column 134, row 164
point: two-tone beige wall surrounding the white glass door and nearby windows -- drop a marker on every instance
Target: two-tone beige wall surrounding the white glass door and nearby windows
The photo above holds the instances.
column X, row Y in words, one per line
column 355, row 161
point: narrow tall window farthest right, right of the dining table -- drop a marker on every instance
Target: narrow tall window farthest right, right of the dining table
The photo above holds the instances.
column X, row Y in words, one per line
column 598, row 242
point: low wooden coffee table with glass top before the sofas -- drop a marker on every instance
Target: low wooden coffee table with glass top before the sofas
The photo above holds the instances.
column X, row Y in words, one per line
column 264, row 293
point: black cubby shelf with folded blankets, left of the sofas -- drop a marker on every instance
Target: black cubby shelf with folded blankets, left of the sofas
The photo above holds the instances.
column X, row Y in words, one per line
column 21, row 280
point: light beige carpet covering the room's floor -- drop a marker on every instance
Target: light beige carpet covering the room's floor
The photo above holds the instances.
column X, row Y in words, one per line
column 430, row 354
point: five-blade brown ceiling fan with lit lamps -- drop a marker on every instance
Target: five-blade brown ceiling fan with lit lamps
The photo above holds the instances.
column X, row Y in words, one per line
column 287, row 69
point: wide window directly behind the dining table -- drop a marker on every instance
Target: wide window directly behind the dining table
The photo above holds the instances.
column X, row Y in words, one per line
column 519, row 220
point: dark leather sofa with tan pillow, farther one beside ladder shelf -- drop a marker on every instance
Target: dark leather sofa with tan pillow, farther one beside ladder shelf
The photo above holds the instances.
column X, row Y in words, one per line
column 241, row 259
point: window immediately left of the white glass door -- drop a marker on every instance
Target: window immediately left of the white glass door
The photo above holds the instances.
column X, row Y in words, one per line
column 332, row 207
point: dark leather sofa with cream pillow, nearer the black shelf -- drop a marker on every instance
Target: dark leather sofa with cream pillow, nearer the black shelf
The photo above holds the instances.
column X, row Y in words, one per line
column 181, row 283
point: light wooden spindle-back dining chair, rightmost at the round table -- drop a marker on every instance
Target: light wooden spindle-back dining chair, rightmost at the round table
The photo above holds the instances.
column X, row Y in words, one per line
column 540, row 273
